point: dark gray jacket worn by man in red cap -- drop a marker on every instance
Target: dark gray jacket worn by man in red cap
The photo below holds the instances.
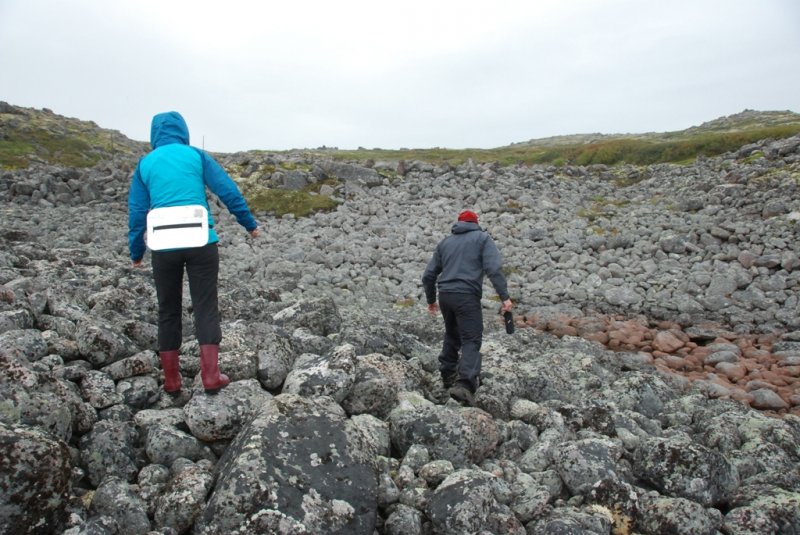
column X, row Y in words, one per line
column 460, row 262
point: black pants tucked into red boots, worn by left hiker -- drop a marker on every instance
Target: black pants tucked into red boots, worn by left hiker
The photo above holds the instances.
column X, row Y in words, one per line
column 202, row 267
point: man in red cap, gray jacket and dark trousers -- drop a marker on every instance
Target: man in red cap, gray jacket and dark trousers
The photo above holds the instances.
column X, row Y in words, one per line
column 457, row 267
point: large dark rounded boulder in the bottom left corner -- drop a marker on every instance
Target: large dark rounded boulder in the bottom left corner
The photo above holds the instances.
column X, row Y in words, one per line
column 35, row 473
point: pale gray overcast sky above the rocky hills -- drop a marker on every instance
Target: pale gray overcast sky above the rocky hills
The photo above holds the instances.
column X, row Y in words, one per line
column 417, row 73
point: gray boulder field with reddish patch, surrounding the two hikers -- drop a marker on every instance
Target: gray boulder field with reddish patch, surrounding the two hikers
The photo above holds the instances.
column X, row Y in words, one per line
column 650, row 386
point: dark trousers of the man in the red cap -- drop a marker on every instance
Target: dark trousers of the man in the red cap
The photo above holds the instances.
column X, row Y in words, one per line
column 463, row 330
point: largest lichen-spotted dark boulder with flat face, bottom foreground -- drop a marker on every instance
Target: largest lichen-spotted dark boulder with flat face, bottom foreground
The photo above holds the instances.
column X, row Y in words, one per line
column 292, row 464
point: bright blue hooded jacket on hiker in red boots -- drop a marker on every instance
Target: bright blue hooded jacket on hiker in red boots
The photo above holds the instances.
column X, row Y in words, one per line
column 177, row 174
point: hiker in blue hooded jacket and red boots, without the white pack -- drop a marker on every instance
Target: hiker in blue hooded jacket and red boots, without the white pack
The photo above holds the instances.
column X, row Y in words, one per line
column 176, row 174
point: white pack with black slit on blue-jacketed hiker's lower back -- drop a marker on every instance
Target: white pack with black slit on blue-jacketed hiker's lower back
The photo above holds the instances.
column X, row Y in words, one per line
column 177, row 227
